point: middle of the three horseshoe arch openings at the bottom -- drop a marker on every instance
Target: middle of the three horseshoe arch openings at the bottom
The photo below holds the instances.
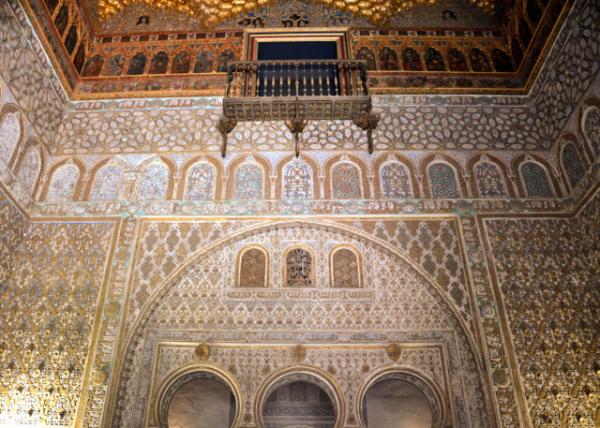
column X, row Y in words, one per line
column 299, row 400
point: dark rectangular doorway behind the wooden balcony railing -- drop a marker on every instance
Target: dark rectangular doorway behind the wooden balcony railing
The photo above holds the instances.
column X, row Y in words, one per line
column 296, row 78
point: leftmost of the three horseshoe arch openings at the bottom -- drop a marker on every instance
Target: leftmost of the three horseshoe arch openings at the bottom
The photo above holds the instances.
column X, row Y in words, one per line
column 201, row 399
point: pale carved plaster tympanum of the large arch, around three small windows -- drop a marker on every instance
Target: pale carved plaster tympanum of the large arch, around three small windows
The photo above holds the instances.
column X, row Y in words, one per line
column 196, row 297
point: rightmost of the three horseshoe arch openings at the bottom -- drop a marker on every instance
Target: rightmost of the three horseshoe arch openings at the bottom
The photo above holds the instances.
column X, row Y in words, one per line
column 400, row 400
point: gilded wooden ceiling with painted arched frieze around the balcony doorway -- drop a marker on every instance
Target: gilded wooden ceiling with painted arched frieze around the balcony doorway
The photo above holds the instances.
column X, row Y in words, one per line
column 137, row 48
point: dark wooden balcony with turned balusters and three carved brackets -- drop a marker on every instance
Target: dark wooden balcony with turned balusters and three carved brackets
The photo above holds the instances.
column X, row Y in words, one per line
column 295, row 92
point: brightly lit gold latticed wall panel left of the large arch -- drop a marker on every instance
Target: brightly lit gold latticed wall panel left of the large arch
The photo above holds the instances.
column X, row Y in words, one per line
column 49, row 320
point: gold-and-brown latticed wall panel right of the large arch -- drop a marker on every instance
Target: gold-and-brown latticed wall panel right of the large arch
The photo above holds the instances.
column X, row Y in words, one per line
column 551, row 298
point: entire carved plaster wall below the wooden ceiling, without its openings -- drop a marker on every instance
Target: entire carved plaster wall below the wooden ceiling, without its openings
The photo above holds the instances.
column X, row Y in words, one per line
column 536, row 373
